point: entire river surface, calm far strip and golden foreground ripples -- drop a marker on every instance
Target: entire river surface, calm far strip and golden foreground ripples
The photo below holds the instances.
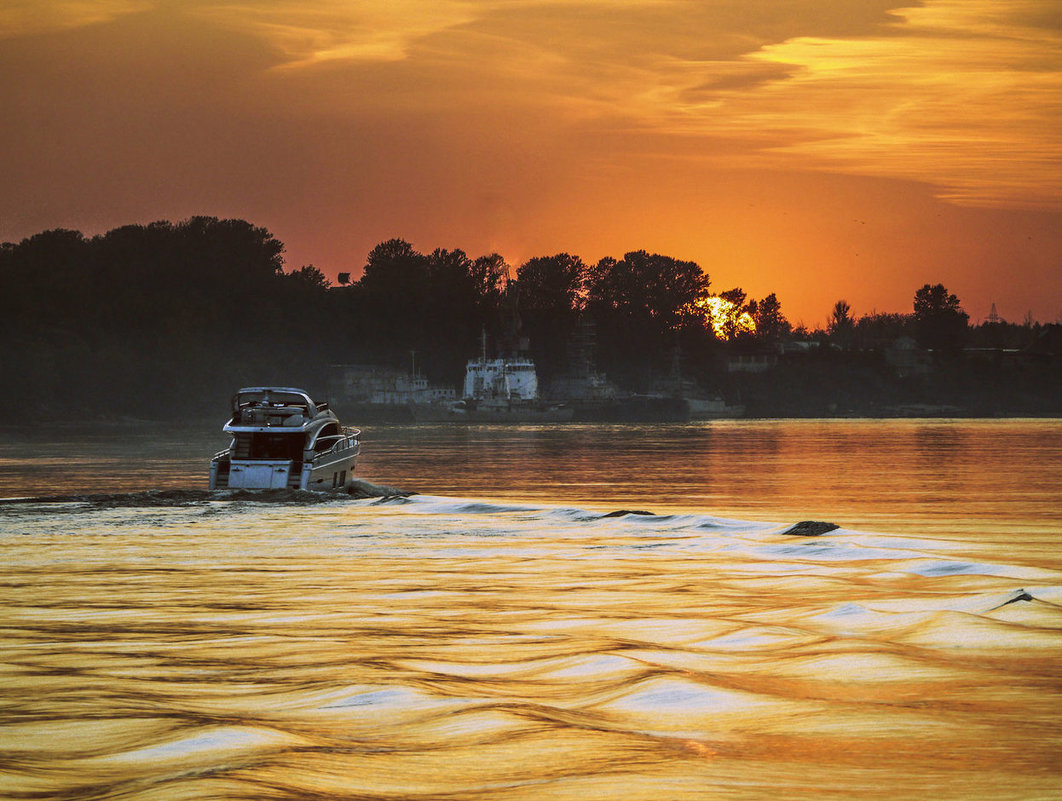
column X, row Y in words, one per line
column 502, row 637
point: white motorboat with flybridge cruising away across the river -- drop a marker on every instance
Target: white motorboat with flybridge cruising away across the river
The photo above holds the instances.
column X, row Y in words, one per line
column 283, row 439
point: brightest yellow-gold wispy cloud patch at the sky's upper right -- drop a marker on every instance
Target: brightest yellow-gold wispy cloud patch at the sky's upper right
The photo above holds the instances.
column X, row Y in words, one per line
column 966, row 95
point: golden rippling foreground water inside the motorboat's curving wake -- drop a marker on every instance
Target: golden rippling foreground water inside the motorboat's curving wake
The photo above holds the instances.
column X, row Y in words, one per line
column 191, row 645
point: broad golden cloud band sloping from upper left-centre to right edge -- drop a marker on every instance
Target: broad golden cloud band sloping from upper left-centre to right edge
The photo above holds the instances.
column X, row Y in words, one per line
column 964, row 95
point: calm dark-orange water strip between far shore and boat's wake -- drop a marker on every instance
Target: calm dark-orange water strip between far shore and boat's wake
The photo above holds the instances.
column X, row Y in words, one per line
column 952, row 479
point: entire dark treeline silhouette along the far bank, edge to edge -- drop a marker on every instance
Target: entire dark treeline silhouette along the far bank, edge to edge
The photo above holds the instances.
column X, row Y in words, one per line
column 166, row 320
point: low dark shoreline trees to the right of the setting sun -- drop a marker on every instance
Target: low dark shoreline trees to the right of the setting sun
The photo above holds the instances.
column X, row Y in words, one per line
column 929, row 363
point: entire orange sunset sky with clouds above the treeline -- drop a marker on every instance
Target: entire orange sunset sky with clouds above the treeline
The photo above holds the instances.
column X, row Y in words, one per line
column 817, row 149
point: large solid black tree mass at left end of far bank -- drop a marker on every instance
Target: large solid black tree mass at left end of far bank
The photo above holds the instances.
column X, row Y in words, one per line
column 151, row 320
